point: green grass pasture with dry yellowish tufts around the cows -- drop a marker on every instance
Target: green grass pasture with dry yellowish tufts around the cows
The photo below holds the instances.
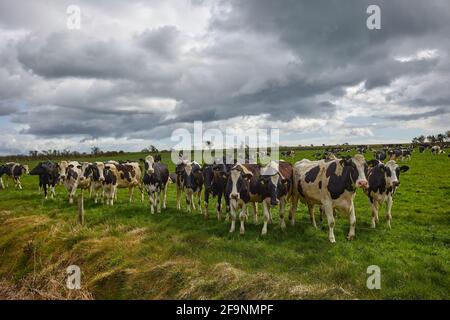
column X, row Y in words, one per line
column 125, row 252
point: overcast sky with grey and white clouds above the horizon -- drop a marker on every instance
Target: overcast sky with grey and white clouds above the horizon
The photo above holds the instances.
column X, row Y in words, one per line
column 137, row 70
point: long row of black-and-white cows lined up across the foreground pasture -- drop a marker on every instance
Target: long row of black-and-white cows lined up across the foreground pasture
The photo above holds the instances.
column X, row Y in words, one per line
column 329, row 184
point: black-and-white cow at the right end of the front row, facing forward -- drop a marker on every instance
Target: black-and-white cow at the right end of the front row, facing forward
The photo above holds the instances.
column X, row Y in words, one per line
column 384, row 179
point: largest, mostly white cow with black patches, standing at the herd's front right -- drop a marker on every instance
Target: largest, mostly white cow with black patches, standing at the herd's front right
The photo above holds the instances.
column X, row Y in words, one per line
column 330, row 184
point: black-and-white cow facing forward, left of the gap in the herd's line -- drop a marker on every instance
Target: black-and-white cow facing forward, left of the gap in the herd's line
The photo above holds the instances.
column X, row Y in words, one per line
column 155, row 180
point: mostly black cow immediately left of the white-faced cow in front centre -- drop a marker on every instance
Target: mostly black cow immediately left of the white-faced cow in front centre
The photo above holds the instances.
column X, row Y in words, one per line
column 215, row 178
